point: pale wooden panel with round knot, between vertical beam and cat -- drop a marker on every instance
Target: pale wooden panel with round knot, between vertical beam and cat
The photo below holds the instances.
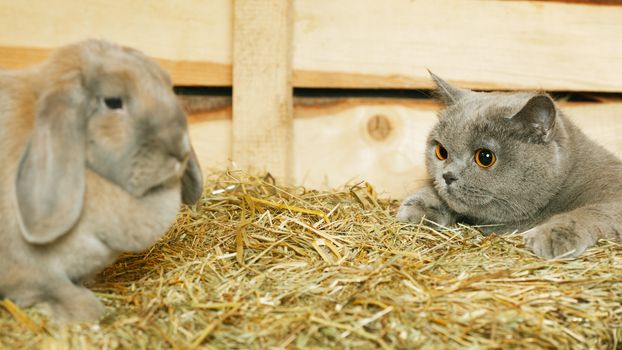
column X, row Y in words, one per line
column 383, row 144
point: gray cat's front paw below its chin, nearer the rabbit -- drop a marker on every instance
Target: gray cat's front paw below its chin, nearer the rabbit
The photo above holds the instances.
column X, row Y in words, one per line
column 426, row 204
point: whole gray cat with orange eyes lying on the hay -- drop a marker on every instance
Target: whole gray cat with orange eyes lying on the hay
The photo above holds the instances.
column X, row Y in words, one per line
column 515, row 162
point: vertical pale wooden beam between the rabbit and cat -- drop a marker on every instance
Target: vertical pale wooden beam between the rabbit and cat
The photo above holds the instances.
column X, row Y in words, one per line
column 262, row 88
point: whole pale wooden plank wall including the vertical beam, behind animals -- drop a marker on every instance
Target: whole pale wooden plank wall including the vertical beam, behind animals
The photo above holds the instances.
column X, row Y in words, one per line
column 265, row 48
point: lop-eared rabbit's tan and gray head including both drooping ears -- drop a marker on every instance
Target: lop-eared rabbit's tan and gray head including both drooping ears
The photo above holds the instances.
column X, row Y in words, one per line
column 112, row 110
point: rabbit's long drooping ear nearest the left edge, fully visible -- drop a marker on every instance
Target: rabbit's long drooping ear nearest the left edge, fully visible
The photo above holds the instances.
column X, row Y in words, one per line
column 50, row 179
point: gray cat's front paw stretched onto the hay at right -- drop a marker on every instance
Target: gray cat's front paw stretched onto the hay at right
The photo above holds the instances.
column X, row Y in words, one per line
column 552, row 240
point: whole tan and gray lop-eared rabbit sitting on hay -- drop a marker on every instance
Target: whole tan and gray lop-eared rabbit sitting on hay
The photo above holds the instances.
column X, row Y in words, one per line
column 96, row 161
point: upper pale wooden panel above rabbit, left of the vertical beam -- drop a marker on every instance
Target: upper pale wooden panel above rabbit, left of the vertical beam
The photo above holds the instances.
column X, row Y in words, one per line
column 191, row 38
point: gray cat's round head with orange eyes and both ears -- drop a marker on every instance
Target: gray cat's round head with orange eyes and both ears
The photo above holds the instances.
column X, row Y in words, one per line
column 495, row 157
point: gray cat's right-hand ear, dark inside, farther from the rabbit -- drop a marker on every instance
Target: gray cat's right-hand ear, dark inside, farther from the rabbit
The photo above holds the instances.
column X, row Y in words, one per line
column 537, row 117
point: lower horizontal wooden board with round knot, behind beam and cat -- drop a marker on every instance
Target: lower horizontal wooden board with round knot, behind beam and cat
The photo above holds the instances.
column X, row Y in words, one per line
column 377, row 140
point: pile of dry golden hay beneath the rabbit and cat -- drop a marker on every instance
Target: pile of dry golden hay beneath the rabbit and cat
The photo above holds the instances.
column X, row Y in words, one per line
column 260, row 266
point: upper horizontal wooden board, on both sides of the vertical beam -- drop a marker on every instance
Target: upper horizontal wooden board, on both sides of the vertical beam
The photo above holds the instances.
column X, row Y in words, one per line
column 349, row 43
